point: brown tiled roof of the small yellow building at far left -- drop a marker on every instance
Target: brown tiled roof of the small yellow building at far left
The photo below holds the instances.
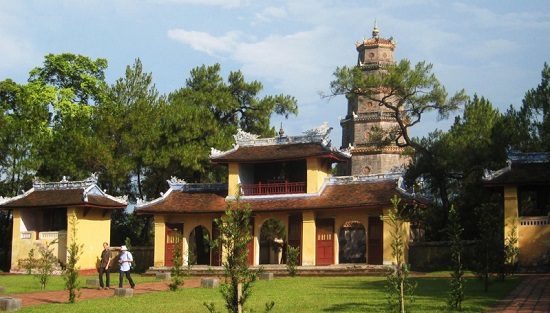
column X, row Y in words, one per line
column 61, row 198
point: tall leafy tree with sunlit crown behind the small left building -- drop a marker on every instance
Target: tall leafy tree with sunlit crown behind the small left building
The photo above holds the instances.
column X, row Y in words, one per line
column 80, row 84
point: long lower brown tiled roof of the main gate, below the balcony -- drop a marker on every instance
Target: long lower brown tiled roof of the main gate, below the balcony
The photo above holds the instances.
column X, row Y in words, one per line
column 337, row 196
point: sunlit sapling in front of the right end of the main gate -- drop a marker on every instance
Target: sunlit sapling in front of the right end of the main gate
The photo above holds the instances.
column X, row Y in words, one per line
column 398, row 288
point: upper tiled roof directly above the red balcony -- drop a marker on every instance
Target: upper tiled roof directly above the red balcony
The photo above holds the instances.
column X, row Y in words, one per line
column 274, row 153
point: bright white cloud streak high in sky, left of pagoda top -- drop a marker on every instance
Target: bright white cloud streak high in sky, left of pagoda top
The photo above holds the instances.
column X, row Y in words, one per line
column 205, row 42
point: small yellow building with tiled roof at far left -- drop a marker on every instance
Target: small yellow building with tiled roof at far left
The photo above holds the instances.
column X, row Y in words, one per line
column 41, row 218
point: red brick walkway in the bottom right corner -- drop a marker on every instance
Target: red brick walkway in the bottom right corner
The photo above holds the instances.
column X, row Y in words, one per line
column 532, row 295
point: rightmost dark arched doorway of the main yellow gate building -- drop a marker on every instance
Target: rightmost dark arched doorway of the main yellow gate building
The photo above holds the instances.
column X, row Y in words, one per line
column 352, row 240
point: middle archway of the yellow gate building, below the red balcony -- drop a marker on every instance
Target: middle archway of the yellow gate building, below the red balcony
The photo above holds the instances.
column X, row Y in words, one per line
column 272, row 241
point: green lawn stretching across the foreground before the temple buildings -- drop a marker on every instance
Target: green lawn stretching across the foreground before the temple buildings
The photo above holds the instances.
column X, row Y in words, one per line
column 298, row 294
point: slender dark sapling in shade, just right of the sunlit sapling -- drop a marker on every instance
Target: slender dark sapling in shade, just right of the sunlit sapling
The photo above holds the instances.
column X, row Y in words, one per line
column 454, row 231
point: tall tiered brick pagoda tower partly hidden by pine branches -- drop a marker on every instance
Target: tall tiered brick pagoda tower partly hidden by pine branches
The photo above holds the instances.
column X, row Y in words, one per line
column 365, row 117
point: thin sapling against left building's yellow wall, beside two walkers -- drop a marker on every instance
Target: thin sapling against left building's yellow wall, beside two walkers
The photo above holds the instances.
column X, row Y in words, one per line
column 74, row 251
